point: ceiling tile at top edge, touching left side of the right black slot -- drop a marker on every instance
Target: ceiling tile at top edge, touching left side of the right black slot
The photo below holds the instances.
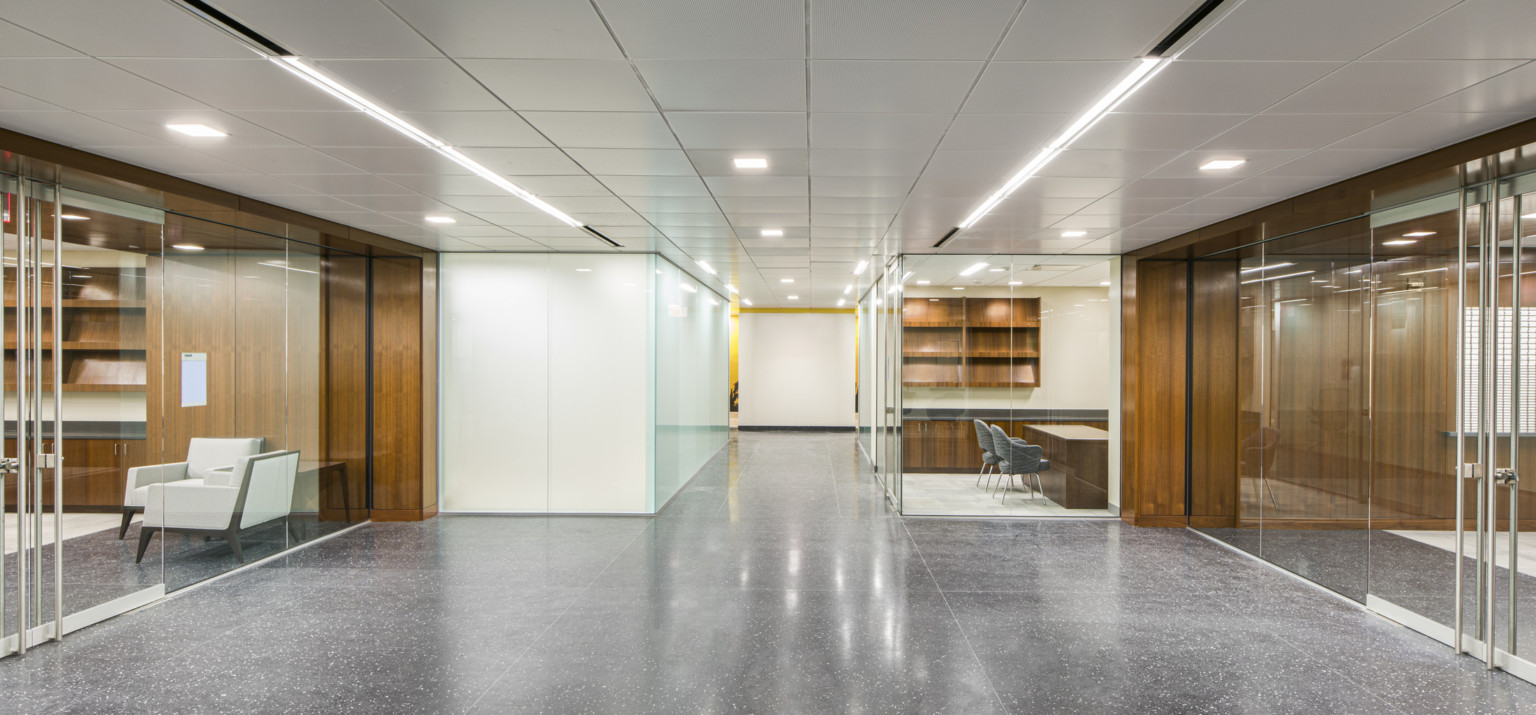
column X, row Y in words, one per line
column 1090, row 30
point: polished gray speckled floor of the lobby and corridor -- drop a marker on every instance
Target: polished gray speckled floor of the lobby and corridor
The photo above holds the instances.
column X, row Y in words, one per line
column 776, row 582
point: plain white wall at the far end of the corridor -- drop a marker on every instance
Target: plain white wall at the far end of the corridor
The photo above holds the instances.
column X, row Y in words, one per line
column 796, row 370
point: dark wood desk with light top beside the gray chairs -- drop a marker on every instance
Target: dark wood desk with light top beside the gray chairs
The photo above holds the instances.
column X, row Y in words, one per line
column 1079, row 476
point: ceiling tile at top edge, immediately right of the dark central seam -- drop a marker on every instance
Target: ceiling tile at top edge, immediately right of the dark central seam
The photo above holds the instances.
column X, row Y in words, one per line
column 907, row 30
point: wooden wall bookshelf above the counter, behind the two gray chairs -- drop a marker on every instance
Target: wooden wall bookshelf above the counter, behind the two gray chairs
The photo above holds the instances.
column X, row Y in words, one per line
column 972, row 342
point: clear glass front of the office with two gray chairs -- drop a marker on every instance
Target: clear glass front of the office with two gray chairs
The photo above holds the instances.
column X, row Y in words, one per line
column 1008, row 388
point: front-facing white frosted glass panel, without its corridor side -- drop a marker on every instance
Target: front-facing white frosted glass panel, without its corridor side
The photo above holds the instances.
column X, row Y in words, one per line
column 546, row 384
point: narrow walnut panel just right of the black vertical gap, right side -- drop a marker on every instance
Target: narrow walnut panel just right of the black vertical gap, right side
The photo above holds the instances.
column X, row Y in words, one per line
column 1214, row 393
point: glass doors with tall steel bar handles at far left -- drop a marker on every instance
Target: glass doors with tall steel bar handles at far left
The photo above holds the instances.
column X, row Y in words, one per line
column 74, row 365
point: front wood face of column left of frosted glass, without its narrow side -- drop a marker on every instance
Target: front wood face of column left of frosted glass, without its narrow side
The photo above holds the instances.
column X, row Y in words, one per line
column 399, row 387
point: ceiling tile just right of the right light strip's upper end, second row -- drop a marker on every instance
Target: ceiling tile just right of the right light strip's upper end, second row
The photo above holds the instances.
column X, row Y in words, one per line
column 1223, row 87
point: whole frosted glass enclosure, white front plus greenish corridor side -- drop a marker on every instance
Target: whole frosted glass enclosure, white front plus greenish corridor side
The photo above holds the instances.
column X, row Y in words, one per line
column 571, row 384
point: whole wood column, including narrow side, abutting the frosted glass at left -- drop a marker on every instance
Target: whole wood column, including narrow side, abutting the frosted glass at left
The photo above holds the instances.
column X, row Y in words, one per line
column 405, row 388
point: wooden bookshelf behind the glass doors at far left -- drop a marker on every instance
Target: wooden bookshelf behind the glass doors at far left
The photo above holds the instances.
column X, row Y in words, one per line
column 104, row 322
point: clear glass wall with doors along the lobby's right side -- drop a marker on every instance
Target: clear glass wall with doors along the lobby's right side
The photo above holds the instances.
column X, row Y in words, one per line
column 1382, row 394
